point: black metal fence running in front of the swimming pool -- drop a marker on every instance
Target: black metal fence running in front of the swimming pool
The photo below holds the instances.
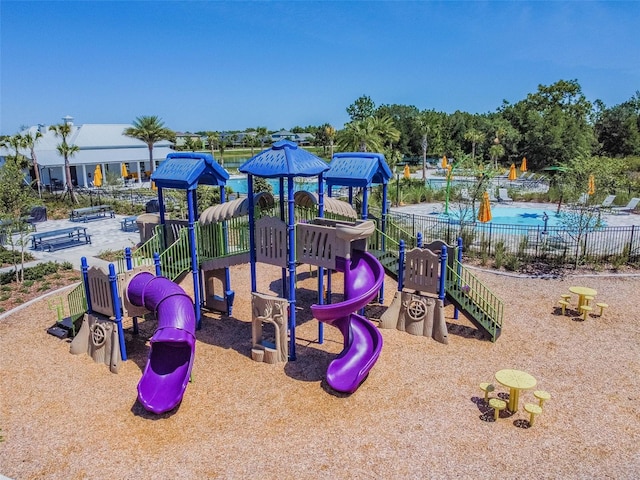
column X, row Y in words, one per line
column 555, row 245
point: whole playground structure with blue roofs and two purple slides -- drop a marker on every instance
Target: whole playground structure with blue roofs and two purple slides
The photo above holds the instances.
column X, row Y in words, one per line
column 257, row 230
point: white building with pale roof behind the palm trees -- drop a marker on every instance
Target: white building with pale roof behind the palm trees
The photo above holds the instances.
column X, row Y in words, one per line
column 99, row 144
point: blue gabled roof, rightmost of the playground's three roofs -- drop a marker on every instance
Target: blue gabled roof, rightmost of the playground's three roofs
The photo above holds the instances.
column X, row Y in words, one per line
column 358, row 169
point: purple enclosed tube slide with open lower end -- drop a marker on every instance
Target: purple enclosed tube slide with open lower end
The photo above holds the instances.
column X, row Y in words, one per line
column 168, row 368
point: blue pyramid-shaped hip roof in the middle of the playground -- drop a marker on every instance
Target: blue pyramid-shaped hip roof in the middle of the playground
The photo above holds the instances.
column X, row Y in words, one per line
column 284, row 159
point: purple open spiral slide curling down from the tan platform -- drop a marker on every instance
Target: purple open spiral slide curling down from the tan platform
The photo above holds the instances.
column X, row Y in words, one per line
column 362, row 339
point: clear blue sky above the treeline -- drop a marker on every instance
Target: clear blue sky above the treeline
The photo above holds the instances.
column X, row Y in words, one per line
column 234, row 65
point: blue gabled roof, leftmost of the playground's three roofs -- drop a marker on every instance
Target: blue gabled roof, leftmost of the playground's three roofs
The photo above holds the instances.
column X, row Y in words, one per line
column 187, row 170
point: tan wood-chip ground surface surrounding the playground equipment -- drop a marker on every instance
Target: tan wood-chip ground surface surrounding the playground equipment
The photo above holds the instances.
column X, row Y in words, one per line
column 420, row 413
